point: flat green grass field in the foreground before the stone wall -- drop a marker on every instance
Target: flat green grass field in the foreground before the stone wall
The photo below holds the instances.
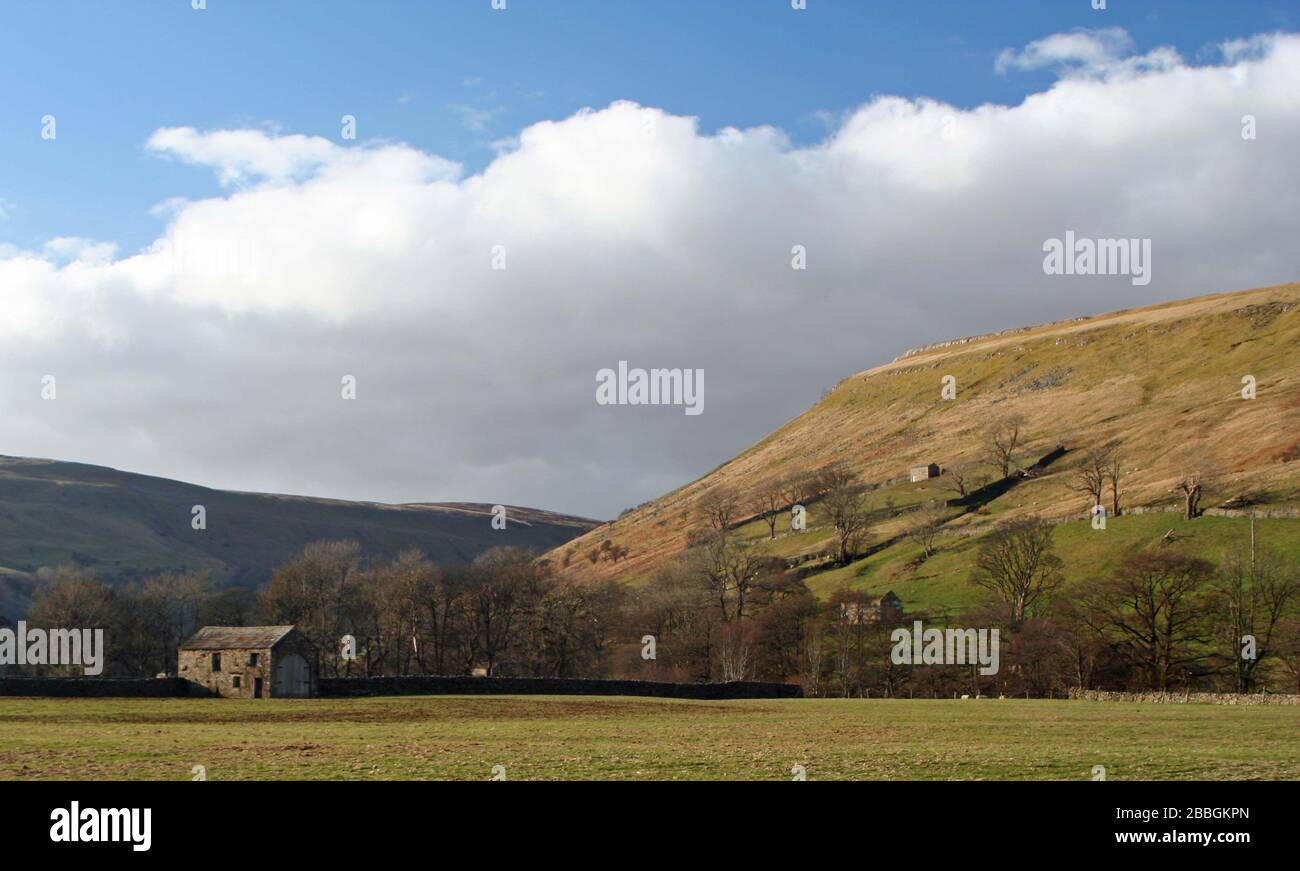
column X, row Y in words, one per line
column 627, row 739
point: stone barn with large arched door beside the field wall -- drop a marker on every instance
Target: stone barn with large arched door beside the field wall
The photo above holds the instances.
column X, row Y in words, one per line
column 250, row 662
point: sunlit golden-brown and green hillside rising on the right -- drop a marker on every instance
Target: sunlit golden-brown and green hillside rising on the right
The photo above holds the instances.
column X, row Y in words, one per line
column 1164, row 382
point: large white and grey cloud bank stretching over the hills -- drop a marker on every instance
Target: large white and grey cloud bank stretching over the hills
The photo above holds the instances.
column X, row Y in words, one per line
column 631, row 236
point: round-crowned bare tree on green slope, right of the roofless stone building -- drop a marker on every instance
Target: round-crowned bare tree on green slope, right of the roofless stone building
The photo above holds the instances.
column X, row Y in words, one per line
column 1017, row 566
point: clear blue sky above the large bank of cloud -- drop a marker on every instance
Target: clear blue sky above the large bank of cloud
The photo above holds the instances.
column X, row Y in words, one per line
column 450, row 77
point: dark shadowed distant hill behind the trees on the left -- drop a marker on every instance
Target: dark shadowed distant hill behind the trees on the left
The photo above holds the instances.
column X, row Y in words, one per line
column 124, row 526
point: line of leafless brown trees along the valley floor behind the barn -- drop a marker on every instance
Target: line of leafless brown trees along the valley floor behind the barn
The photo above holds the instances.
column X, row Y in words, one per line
column 725, row 610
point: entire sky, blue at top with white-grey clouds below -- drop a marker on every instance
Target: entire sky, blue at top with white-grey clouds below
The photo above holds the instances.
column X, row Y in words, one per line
column 197, row 253
